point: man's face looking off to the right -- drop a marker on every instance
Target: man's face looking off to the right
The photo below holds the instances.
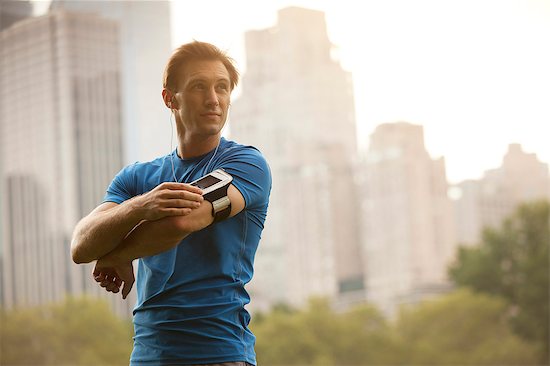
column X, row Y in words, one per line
column 203, row 98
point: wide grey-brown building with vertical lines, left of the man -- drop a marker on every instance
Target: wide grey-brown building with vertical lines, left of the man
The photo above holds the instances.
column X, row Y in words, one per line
column 61, row 144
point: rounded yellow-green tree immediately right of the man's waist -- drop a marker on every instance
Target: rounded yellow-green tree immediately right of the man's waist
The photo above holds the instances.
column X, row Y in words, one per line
column 319, row 336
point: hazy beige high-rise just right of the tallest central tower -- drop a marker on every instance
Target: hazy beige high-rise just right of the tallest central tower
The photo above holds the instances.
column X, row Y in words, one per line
column 408, row 232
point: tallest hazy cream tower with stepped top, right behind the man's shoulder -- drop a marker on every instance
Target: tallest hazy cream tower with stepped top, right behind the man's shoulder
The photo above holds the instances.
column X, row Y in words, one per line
column 297, row 107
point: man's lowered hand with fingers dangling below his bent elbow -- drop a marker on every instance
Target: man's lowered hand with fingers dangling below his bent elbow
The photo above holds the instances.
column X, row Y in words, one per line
column 111, row 275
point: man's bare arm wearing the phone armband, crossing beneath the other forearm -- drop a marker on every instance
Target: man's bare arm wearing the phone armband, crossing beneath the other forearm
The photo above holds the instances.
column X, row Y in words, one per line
column 154, row 237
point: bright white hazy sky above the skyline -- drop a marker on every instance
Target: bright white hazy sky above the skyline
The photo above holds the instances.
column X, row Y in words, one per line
column 474, row 73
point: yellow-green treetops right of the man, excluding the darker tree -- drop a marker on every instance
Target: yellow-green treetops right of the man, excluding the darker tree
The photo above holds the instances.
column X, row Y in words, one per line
column 461, row 328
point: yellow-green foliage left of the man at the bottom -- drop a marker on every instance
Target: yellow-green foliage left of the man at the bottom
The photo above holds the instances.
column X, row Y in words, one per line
column 76, row 332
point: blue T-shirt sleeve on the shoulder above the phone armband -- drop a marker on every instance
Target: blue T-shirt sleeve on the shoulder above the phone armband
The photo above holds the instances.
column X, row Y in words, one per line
column 251, row 175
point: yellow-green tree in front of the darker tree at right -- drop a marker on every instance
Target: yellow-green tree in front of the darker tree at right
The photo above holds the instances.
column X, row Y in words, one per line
column 461, row 328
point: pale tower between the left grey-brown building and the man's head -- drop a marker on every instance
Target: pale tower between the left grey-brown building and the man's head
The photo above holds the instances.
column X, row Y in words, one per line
column 145, row 46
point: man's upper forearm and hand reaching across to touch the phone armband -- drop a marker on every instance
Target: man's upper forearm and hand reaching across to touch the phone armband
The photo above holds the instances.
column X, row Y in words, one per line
column 105, row 227
